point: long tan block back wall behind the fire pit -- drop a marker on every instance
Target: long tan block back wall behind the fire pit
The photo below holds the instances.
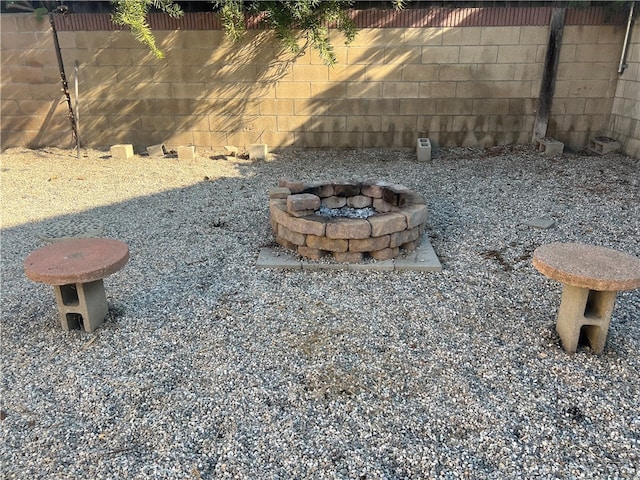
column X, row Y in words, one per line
column 473, row 85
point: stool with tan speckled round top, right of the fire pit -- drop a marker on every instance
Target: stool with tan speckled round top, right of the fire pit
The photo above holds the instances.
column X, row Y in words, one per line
column 591, row 278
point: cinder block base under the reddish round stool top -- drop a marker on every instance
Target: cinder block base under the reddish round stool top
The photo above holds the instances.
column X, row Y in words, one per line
column 81, row 305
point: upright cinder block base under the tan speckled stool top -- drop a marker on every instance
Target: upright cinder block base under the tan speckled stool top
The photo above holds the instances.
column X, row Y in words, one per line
column 584, row 311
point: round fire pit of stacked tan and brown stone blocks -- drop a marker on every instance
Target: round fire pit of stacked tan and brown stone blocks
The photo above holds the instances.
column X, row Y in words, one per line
column 346, row 219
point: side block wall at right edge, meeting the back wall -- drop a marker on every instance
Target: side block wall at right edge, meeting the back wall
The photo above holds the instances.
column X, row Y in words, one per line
column 624, row 124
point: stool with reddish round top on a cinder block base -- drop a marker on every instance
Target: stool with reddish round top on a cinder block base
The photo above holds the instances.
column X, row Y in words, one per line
column 76, row 268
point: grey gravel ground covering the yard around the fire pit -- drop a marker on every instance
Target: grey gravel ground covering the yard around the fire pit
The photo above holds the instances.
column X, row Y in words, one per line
column 209, row 368
